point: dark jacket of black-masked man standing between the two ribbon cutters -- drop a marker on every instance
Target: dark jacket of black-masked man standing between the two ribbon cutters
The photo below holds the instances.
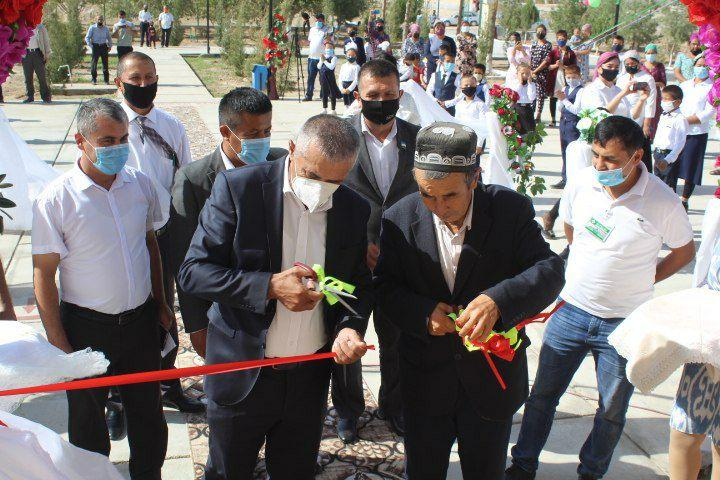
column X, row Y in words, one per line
column 362, row 179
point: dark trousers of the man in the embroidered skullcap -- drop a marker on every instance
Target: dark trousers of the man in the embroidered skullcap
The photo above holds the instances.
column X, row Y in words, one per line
column 482, row 443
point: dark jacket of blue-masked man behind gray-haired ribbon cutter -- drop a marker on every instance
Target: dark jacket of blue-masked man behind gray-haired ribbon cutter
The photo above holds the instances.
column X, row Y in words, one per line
column 193, row 183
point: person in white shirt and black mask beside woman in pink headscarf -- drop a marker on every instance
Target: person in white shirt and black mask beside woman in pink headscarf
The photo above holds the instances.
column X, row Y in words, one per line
column 636, row 76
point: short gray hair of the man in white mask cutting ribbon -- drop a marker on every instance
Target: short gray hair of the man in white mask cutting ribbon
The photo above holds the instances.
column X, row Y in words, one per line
column 336, row 138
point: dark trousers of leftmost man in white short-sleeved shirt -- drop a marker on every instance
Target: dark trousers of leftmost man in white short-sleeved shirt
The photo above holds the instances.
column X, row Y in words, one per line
column 131, row 347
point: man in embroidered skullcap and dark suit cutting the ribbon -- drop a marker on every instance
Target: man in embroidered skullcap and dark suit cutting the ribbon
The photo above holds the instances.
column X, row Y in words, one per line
column 460, row 244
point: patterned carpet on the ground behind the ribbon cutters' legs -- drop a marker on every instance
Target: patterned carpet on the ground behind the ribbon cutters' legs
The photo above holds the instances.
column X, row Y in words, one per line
column 379, row 454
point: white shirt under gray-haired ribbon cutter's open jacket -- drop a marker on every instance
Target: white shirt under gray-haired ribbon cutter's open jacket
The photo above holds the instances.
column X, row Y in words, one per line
column 304, row 237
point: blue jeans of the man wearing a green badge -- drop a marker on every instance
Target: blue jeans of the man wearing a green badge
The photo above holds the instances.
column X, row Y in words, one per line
column 569, row 336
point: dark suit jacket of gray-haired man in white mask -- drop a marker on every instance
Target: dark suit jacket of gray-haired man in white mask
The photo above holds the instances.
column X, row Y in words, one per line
column 237, row 248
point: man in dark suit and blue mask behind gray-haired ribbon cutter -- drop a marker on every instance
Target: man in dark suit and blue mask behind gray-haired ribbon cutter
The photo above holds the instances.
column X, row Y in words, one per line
column 245, row 116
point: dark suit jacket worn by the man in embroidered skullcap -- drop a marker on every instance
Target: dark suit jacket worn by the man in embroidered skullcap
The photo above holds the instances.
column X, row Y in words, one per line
column 503, row 256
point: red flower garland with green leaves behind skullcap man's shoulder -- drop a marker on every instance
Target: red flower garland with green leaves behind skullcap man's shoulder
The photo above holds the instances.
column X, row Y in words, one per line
column 520, row 148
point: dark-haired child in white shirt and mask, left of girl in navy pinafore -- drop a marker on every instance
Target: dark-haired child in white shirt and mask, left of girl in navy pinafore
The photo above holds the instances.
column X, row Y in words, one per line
column 671, row 132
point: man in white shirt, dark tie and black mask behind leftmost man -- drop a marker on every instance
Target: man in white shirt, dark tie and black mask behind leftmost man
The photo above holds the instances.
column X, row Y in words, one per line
column 158, row 147
